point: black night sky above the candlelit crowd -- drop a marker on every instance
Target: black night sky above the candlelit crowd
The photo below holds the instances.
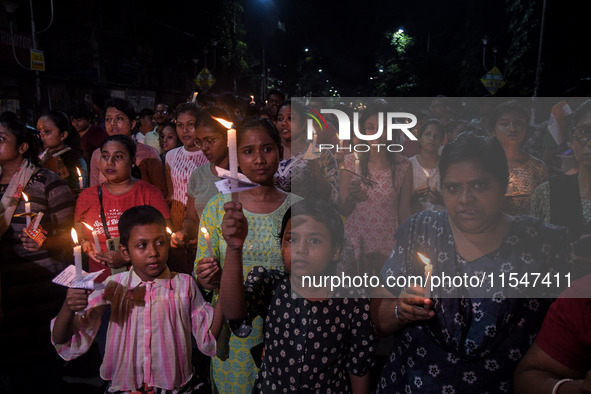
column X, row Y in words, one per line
column 344, row 38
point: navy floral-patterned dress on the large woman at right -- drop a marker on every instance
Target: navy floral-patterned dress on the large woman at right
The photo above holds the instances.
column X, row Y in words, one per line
column 471, row 345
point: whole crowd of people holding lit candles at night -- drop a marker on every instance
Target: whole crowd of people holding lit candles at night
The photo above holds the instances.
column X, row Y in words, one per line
column 205, row 291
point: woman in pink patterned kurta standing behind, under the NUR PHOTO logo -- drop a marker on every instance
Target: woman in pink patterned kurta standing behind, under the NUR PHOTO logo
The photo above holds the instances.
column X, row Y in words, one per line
column 376, row 197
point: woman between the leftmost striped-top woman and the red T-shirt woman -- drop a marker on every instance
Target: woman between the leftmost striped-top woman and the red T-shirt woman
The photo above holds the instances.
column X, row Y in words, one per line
column 62, row 152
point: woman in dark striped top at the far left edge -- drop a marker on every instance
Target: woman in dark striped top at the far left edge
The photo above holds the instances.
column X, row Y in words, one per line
column 29, row 299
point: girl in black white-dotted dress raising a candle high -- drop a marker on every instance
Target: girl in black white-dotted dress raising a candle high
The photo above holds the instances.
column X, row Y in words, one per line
column 316, row 340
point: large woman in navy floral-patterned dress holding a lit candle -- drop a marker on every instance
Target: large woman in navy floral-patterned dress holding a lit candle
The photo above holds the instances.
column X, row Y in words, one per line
column 465, row 339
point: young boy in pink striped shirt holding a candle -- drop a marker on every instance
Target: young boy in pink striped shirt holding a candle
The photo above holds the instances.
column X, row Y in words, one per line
column 153, row 312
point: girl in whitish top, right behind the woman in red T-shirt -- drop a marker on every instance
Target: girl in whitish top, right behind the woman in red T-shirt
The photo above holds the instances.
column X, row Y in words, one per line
column 181, row 161
